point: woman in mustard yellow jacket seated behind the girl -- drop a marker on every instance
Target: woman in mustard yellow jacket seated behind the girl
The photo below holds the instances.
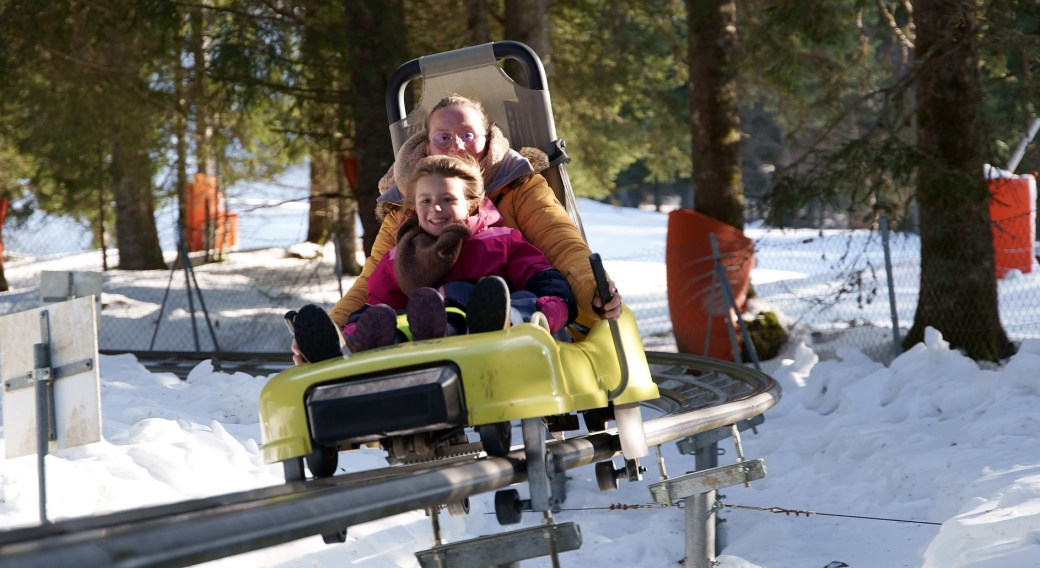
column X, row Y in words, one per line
column 459, row 125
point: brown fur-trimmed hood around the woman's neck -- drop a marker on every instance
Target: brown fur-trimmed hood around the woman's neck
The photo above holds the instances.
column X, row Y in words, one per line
column 502, row 167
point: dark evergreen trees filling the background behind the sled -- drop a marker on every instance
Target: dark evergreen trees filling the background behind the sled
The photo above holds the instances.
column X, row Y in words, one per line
column 862, row 107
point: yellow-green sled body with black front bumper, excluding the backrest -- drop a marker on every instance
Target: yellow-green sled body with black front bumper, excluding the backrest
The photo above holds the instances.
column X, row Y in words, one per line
column 417, row 397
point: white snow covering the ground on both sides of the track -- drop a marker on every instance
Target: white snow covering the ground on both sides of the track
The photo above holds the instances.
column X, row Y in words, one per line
column 930, row 437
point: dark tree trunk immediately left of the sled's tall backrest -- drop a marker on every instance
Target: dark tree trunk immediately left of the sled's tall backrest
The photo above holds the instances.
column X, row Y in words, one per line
column 378, row 46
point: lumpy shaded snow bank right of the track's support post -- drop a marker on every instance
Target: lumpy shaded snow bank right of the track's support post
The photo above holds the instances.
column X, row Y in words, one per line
column 932, row 437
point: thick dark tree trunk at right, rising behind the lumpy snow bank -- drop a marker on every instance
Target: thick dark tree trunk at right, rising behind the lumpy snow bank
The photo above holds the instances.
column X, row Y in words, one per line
column 958, row 276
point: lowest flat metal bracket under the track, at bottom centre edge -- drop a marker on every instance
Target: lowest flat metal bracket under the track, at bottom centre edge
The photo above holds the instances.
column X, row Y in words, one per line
column 504, row 549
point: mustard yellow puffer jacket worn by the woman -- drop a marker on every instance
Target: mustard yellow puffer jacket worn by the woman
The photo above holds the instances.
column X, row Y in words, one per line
column 527, row 204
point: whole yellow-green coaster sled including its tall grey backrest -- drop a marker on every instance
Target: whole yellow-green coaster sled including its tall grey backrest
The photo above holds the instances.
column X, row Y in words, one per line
column 417, row 399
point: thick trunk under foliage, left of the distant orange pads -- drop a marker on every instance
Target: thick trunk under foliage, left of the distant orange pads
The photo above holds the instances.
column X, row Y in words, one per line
column 137, row 239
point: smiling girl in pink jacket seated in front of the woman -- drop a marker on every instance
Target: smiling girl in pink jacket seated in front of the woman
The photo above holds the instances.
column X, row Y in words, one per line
column 452, row 254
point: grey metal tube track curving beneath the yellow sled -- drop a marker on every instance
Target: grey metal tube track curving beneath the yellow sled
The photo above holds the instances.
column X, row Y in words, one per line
column 199, row 531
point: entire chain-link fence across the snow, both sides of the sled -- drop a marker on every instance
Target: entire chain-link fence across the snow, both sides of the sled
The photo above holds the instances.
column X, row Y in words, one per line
column 829, row 289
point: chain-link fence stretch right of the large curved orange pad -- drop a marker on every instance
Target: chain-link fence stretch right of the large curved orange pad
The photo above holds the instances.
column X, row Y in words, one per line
column 833, row 289
